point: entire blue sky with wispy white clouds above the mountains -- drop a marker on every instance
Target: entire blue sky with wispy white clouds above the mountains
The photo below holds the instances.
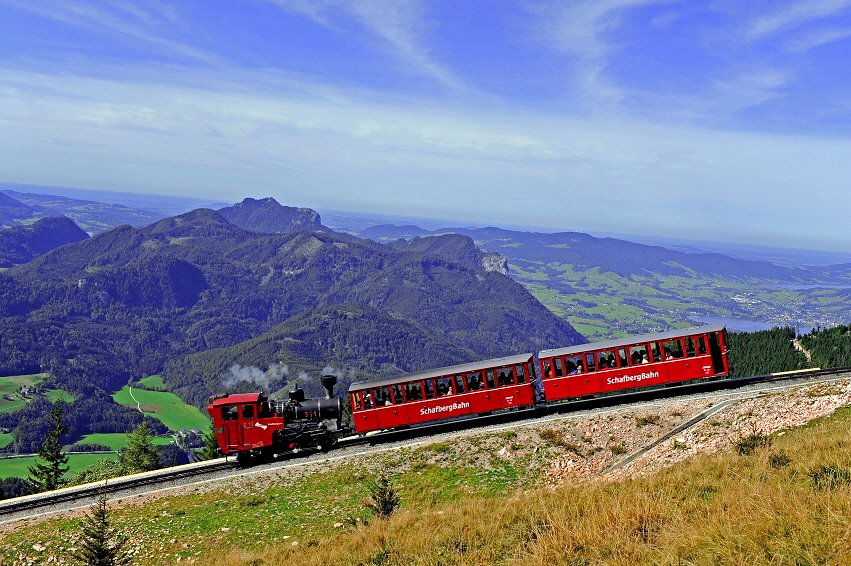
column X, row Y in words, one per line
column 720, row 120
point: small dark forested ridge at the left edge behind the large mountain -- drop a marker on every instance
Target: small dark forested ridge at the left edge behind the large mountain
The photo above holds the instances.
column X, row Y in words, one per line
column 21, row 244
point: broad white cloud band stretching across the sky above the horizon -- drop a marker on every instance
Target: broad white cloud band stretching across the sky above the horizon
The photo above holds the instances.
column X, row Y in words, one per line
column 210, row 136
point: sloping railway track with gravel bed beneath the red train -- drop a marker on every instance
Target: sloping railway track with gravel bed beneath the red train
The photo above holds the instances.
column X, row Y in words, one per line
column 66, row 499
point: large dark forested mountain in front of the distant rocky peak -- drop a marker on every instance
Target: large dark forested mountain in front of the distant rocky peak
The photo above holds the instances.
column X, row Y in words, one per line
column 131, row 302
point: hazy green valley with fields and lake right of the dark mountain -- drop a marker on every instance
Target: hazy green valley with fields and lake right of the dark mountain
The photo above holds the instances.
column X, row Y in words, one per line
column 610, row 288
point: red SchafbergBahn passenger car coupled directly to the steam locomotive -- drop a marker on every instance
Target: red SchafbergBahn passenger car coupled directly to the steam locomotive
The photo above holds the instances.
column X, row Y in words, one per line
column 423, row 396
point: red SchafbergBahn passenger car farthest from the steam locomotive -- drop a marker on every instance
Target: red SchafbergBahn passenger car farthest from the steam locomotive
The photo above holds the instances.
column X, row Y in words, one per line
column 637, row 361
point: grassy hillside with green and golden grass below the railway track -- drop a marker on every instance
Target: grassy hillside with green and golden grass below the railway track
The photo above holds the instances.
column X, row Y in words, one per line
column 783, row 500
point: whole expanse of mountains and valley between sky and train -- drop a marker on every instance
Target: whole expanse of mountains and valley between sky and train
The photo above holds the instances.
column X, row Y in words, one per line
column 263, row 295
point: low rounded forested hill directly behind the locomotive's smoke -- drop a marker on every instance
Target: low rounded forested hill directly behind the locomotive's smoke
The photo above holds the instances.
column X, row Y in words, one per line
column 351, row 341
